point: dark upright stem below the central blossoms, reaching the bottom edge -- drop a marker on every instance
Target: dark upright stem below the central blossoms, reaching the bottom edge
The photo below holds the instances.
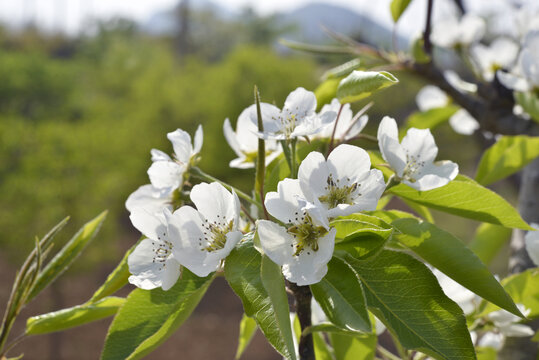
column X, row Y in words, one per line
column 303, row 296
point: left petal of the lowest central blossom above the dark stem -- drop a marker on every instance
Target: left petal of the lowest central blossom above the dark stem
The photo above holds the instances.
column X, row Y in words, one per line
column 276, row 242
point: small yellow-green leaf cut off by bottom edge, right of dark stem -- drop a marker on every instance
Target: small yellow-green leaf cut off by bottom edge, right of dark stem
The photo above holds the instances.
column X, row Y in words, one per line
column 353, row 347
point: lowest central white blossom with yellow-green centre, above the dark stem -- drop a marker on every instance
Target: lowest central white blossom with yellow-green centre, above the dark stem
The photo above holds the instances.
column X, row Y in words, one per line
column 306, row 246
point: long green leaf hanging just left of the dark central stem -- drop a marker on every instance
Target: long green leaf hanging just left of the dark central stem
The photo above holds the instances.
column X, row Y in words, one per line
column 243, row 273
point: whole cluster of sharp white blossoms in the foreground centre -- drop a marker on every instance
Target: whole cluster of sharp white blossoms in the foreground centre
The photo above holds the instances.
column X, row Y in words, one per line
column 299, row 237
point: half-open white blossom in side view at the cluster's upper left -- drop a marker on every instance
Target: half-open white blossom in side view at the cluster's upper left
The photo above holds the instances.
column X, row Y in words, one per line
column 166, row 174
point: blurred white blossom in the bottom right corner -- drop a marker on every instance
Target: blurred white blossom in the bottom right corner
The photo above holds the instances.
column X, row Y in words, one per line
column 505, row 325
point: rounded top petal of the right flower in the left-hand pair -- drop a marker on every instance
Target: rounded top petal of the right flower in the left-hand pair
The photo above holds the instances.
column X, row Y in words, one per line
column 215, row 202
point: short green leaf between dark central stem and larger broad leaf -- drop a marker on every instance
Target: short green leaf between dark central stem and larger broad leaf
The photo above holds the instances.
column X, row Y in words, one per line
column 341, row 297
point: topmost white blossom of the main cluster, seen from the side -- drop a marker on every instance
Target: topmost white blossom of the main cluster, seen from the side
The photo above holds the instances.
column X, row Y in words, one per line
column 297, row 118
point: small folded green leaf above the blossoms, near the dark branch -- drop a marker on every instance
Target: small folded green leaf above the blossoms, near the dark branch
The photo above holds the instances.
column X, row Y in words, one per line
column 361, row 84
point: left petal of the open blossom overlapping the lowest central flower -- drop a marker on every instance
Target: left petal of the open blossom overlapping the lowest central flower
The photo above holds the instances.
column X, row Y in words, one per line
column 313, row 173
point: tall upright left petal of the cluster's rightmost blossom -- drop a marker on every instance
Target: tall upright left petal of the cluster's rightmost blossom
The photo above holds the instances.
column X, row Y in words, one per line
column 388, row 141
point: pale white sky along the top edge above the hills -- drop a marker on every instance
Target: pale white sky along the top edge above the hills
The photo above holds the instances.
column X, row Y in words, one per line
column 69, row 15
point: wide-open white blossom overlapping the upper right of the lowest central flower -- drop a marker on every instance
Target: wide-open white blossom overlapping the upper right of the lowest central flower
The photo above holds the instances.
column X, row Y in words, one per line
column 345, row 183
